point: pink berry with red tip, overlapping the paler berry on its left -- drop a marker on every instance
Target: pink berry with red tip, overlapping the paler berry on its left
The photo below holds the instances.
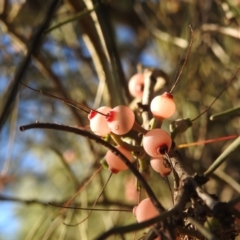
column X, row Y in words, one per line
column 121, row 119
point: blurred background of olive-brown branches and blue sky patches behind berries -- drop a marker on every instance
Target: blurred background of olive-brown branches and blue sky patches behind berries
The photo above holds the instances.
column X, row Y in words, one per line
column 89, row 59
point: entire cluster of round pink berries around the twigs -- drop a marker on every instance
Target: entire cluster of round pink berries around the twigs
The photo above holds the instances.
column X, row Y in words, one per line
column 155, row 142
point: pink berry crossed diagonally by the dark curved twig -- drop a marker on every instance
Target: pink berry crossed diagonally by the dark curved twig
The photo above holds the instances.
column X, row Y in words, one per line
column 115, row 164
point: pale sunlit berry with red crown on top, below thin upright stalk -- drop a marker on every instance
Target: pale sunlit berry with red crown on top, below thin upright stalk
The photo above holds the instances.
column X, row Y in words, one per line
column 163, row 106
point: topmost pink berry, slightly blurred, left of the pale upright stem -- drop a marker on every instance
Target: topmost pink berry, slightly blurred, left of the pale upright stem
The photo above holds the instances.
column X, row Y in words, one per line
column 136, row 85
